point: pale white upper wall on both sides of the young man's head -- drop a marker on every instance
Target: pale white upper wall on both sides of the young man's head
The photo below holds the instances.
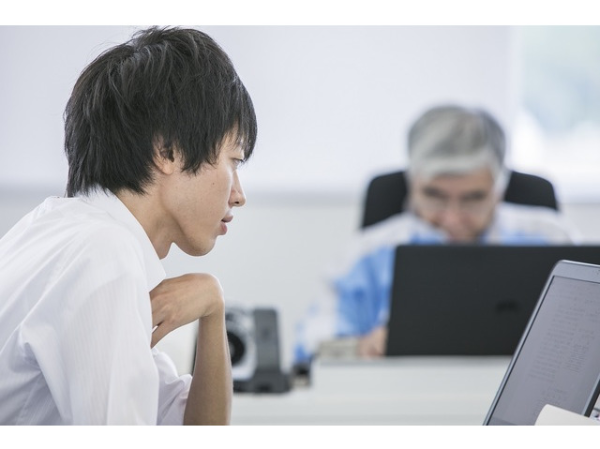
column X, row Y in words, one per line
column 333, row 102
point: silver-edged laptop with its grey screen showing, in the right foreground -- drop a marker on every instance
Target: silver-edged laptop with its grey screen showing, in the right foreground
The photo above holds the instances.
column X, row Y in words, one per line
column 557, row 361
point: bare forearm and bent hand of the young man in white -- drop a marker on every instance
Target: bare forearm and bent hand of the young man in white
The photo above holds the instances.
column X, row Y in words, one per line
column 180, row 301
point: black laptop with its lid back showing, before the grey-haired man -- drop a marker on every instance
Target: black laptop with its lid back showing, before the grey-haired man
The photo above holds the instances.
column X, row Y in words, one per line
column 469, row 299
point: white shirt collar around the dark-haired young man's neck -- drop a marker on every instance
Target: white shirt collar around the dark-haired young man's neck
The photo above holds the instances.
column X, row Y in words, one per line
column 110, row 203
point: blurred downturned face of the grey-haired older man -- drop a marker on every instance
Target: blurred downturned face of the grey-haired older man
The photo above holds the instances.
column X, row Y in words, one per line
column 462, row 206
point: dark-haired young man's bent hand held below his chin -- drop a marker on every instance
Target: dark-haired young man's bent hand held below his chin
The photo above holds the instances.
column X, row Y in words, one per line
column 182, row 300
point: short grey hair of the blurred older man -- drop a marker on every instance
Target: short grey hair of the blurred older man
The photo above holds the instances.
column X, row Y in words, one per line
column 456, row 140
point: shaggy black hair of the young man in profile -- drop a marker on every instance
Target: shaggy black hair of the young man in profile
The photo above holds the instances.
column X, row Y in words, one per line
column 166, row 85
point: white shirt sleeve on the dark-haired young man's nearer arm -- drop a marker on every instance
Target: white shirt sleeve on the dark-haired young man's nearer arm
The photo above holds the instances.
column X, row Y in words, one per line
column 90, row 334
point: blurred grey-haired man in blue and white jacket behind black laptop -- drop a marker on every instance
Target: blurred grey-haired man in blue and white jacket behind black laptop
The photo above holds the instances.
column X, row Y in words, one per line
column 456, row 179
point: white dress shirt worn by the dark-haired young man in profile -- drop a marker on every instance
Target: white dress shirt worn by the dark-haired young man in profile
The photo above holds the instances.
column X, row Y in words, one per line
column 76, row 320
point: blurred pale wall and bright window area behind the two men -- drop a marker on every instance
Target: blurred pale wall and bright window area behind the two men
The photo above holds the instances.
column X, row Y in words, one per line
column 333, row 104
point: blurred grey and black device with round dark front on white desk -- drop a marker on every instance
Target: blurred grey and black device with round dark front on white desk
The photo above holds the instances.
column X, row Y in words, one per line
column 253, row 336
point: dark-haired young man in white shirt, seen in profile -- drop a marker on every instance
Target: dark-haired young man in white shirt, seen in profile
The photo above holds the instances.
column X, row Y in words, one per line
column 155, row 130
